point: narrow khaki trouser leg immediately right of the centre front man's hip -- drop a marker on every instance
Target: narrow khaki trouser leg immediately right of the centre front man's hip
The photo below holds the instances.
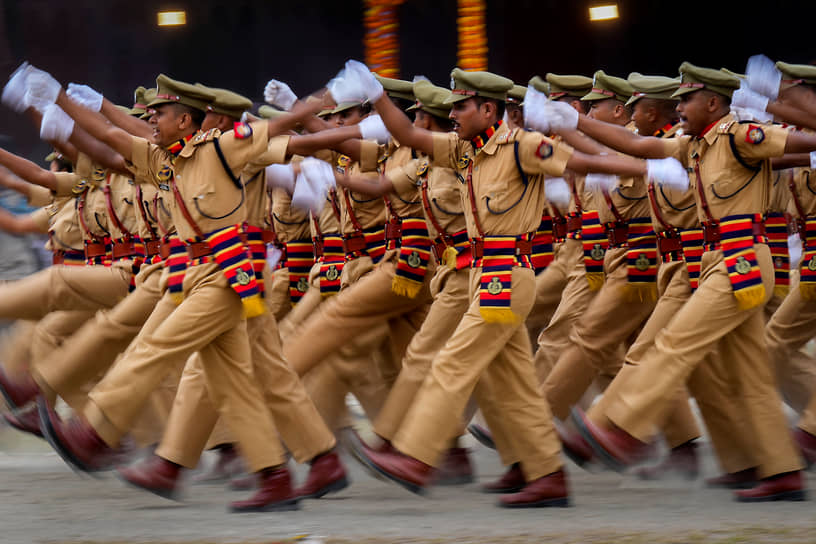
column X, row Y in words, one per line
column 575, row 299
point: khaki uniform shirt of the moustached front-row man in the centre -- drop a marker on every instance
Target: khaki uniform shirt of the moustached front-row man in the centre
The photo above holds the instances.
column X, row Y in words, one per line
column 505, row 206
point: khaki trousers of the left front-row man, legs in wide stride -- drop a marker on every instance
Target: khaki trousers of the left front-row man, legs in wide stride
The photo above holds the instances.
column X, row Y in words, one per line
column 209, row 321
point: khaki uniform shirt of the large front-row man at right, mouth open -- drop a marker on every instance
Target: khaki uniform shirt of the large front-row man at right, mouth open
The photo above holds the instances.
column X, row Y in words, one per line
column 731, row 187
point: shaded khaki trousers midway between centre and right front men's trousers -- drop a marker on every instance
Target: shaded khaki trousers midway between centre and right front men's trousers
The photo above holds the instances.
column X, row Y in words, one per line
column 595, row 340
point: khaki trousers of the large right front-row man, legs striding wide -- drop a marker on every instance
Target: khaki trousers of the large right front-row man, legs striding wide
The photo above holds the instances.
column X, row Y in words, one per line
column 709, row 321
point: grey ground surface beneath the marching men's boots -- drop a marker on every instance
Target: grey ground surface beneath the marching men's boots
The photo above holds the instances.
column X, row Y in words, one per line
column 41, row 500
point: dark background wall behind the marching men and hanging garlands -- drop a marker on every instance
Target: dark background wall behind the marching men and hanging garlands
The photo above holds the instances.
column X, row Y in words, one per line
column 115, row 45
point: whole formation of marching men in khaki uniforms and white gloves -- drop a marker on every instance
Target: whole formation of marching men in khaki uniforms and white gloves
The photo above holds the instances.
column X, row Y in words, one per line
column 407, row 256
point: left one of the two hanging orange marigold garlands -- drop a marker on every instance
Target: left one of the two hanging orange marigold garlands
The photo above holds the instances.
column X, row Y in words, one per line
column 381, row 40
